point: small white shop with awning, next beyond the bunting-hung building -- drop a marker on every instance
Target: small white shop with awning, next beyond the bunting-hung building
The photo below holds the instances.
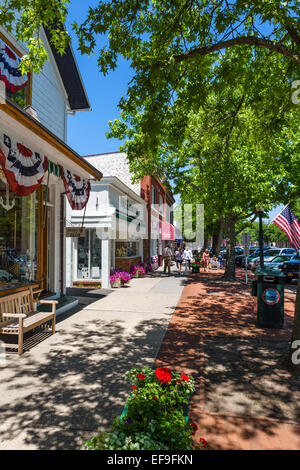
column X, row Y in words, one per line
column 108, row 243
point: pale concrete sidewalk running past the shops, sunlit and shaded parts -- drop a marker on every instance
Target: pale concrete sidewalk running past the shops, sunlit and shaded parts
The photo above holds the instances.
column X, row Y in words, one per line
column 67, row 387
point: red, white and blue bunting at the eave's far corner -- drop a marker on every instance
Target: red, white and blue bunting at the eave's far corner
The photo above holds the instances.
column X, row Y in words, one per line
column 77, row 189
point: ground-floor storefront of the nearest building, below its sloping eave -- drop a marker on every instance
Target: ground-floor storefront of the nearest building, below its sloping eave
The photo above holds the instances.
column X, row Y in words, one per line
column 39, row 175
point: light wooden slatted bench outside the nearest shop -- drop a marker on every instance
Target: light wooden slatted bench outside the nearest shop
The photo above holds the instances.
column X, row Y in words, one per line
column 18, row 315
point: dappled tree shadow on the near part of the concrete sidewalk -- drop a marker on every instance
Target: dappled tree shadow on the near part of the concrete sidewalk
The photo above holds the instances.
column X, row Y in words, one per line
column 77, row 386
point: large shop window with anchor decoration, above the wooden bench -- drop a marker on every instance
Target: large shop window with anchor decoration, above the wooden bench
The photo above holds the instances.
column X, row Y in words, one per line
column 18, row 237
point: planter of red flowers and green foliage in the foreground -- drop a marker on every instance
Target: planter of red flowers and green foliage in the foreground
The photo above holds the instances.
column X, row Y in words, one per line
column 155, row 416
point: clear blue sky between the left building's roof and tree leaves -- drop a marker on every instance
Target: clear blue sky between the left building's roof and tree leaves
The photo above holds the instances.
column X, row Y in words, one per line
column 86, row 131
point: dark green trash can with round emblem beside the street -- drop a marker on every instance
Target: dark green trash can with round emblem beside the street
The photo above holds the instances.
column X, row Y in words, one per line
column 270, row 297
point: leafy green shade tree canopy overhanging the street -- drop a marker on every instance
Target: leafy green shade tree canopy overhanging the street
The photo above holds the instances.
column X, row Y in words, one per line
column 176, row 50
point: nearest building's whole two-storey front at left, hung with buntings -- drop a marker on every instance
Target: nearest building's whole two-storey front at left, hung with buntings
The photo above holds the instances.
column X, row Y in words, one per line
column 39, row 173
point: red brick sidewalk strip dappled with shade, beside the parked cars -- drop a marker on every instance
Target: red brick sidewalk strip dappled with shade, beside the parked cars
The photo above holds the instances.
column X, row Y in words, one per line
column 239, row 369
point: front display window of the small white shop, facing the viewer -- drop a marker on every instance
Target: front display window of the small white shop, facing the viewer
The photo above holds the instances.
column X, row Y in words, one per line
column 89, row 256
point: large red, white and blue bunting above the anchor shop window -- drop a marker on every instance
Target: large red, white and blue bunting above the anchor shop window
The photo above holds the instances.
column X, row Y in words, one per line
column 24, row 169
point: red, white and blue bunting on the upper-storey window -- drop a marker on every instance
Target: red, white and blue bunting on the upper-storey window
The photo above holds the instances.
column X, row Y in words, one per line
column 9, row 69
